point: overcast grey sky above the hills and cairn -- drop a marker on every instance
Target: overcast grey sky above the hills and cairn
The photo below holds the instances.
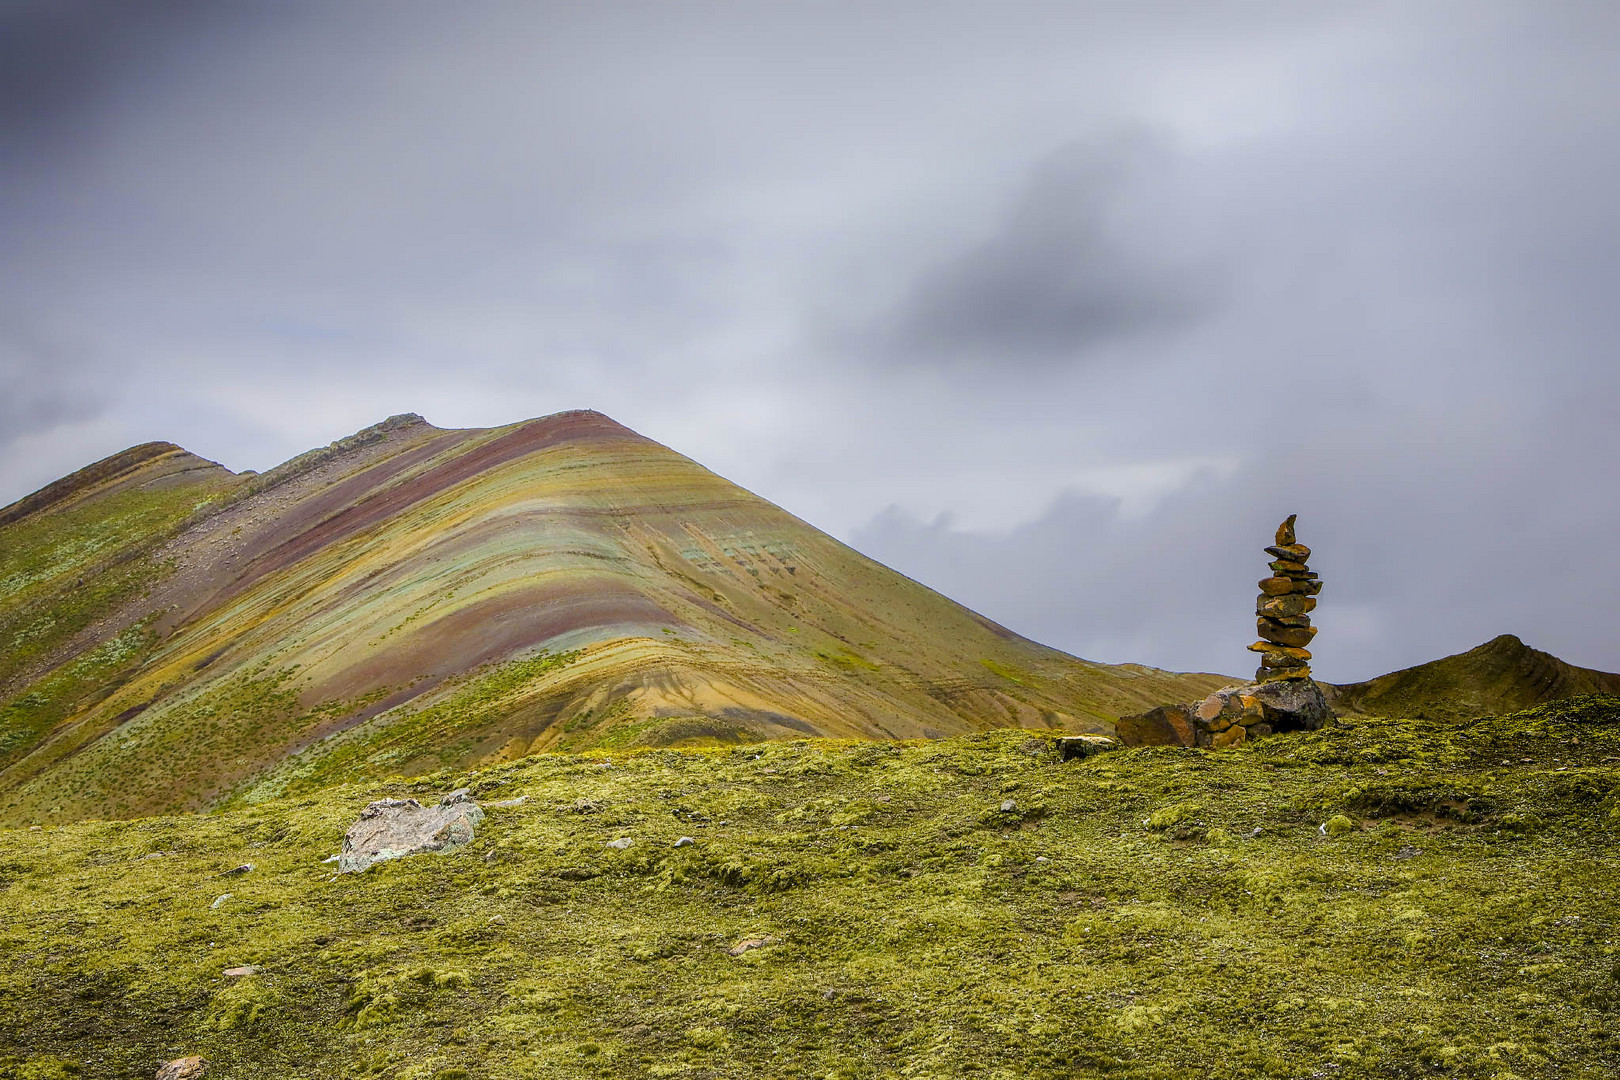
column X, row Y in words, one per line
column 1059, row 308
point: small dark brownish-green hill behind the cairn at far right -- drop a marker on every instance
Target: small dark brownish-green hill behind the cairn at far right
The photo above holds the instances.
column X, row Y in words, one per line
column 1501, row 676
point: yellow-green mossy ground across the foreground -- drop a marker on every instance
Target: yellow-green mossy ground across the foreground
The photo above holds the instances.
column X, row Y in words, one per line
column 1153, row 912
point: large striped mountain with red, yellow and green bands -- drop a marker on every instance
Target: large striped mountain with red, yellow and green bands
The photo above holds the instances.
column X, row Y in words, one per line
column 407, row 600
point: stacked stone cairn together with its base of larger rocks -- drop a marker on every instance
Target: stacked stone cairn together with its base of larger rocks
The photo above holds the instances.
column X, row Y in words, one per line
column 1282, row 697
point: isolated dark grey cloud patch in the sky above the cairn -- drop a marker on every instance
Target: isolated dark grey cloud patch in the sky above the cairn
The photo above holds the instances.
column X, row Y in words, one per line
column 1065, row 273
